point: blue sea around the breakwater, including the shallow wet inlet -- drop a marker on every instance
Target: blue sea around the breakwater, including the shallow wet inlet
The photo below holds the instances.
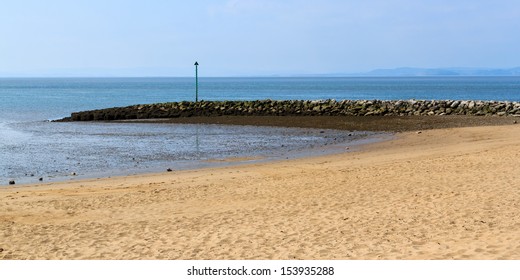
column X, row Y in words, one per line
column 33, row 148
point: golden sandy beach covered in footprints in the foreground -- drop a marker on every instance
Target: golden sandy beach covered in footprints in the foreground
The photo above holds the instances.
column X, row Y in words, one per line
column 444, row 193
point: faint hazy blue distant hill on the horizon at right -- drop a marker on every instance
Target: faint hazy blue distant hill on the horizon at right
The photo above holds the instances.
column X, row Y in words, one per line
column 409, row 71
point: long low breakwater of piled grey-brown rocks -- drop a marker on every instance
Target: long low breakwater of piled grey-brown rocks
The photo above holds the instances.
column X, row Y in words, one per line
column 302, row 108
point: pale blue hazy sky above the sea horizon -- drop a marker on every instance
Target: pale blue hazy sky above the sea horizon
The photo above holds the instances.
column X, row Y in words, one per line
column 253, row 37
